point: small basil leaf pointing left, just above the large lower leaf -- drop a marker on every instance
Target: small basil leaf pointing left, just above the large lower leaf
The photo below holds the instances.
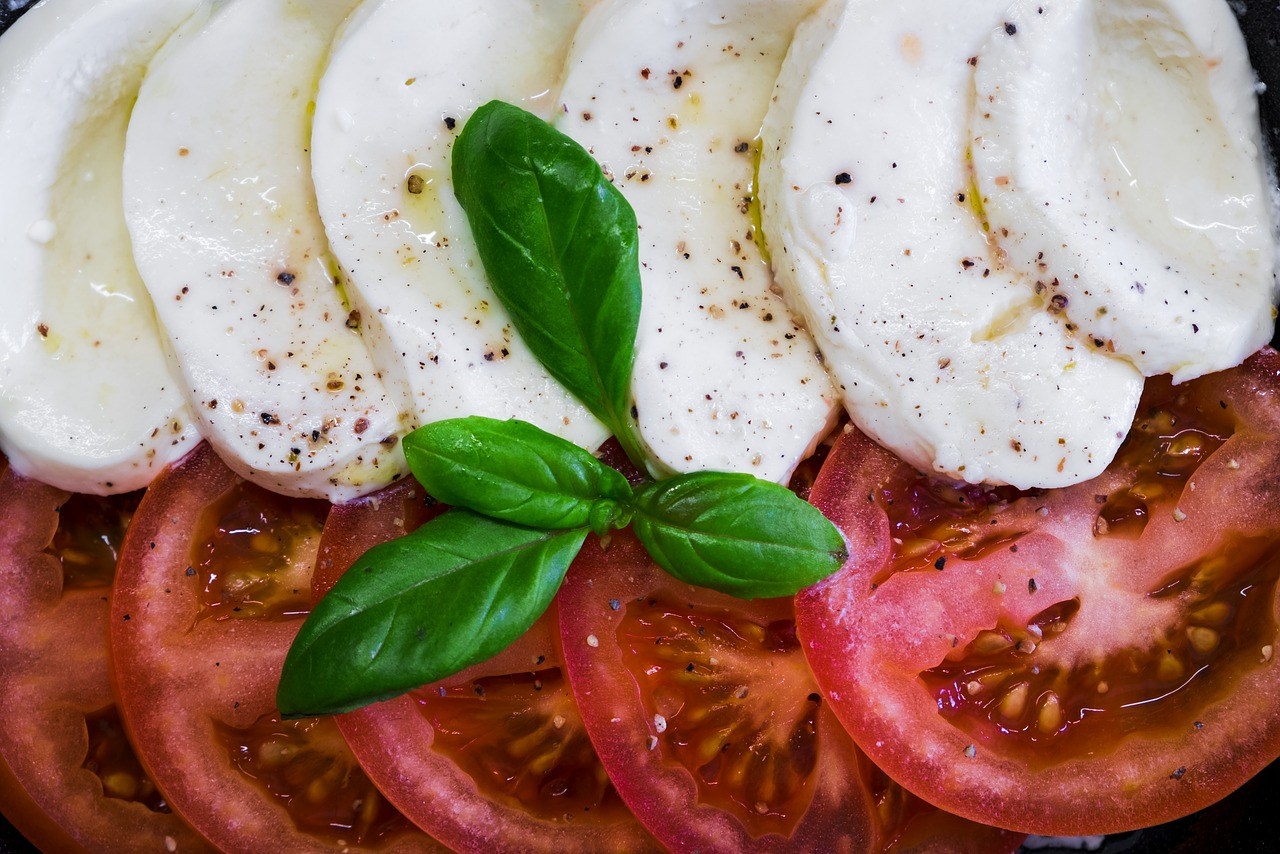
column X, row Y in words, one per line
column 515, row 472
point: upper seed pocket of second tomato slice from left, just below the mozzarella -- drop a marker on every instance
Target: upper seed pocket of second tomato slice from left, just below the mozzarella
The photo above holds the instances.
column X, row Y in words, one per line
column 254, row 552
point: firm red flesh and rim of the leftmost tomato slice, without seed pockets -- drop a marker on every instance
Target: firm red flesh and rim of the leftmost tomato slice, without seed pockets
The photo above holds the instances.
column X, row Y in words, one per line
column 53, row 645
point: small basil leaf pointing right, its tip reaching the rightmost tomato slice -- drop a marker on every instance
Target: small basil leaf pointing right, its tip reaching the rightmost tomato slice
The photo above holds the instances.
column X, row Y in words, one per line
column 737, row 535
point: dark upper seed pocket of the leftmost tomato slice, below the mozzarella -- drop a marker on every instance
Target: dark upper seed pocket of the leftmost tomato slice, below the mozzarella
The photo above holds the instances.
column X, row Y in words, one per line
column 88, row 541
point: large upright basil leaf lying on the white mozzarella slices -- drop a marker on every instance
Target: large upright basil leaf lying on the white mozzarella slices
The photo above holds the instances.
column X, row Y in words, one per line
column 561, row 249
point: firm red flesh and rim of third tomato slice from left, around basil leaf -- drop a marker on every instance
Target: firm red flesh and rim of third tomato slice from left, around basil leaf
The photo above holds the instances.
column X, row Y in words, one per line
column 394, row 739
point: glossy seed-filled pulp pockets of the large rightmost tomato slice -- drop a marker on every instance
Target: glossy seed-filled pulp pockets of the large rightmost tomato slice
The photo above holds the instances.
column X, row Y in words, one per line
column 996, row 684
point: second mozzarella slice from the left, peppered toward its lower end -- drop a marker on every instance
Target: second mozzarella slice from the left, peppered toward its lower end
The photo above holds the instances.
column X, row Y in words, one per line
column 221, row 207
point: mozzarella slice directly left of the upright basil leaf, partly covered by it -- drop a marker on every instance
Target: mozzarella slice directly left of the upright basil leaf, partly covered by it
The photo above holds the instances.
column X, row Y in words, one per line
column 401, row 81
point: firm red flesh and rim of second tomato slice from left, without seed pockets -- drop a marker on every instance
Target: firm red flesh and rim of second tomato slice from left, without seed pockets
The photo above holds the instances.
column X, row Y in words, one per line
column 180, row 678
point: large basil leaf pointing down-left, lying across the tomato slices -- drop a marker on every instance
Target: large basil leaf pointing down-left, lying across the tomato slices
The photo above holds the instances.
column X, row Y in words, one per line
column 454, row 593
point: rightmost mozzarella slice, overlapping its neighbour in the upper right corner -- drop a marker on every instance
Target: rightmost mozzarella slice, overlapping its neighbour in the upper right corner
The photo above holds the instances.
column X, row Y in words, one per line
column 1118, row 152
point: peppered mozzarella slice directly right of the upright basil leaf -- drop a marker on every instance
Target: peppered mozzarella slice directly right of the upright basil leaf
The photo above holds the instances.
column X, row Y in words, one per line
column 670, row 98
